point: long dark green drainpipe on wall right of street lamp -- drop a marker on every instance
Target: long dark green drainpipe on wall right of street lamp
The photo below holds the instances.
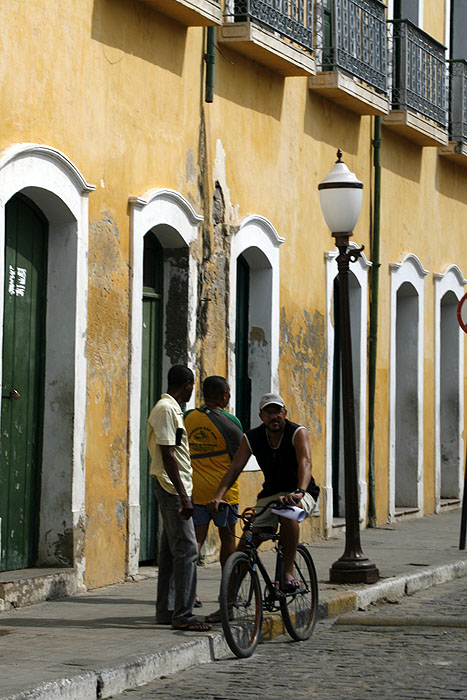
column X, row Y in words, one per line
column 373, row 332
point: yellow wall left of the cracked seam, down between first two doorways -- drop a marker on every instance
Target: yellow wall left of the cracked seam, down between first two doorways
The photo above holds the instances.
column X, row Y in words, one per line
column 112, row 85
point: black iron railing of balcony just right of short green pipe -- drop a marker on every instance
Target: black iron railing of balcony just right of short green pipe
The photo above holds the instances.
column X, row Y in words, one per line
column 292, row 19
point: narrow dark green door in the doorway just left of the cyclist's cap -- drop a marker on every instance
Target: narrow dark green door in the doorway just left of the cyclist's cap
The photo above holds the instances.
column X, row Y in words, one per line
column 242, row 380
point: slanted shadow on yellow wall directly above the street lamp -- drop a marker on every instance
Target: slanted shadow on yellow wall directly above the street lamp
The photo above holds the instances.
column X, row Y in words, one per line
column 327, row 122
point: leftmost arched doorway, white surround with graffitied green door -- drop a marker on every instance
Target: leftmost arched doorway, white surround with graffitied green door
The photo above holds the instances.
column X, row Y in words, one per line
column 42, row 187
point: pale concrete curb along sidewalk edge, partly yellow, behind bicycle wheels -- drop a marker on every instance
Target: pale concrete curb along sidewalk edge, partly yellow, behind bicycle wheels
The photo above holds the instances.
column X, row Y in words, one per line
column 130, row 673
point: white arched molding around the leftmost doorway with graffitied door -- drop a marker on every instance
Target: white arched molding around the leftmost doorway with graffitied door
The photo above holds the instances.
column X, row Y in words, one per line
column 56, row 186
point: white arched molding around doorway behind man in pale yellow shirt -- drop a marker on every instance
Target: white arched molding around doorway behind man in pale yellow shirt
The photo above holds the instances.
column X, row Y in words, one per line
column 177, row 226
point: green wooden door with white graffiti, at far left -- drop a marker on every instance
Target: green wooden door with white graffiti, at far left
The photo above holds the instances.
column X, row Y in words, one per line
column 22, row 382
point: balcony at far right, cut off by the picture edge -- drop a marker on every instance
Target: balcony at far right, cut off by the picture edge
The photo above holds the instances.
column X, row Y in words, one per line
column 457, row 147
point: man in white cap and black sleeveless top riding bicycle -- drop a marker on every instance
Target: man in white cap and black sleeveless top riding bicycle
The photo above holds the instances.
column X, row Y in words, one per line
column 282, row 450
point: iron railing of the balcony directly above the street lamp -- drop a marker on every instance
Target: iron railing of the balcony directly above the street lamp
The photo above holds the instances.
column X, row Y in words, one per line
column 354, row 40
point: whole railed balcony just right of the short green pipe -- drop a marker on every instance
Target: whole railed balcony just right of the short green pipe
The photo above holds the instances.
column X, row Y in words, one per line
column 276, row 33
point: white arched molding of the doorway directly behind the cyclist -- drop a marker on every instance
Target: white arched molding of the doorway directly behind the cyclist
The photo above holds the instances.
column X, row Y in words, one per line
column 259, row 241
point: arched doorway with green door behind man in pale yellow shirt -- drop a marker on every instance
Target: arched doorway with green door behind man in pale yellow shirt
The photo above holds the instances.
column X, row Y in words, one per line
column 163, row 332
